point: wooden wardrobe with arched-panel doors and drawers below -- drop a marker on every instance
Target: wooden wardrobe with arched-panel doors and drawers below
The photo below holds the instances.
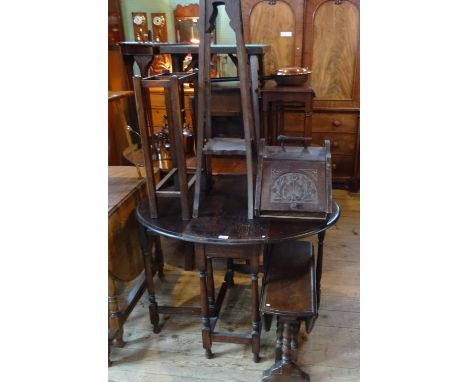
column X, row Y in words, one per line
column 322, row 35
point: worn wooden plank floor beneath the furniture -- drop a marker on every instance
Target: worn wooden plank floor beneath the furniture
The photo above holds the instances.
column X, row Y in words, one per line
column 329, row 354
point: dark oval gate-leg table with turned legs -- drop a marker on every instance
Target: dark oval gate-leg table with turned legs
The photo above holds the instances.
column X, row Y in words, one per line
column 223, row 230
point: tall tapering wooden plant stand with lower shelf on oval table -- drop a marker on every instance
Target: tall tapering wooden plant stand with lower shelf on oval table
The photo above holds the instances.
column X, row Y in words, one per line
column 217, row 145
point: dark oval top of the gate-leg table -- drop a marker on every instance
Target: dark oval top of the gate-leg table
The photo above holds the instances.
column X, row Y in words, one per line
column 223, row 219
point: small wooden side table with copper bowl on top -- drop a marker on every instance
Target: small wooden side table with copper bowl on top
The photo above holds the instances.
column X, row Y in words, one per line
column 278, row 99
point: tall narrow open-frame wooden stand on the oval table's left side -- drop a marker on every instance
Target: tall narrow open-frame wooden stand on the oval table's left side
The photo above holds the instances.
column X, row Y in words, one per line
column 173, row 91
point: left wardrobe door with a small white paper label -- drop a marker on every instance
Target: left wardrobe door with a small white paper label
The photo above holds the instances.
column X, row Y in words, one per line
column 278, row 23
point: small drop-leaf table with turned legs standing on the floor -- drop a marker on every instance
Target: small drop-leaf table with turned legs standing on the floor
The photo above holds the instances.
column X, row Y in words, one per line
column 289, row 293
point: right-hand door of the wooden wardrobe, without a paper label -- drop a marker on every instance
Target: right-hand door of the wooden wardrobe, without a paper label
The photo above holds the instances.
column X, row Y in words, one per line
column 331, row 50
